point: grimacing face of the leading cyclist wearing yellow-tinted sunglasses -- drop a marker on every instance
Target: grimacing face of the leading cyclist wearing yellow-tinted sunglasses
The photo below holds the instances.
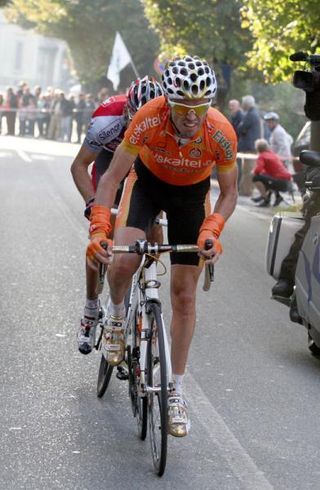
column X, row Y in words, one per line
column 188, row 115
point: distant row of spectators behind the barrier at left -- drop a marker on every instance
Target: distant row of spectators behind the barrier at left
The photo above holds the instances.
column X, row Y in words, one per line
column 47, row 114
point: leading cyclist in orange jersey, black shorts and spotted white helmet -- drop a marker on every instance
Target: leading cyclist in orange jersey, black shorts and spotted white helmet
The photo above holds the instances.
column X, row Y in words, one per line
column 173, row 142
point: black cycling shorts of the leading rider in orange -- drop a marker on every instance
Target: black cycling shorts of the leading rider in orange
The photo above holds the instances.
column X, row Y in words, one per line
column 145, row 195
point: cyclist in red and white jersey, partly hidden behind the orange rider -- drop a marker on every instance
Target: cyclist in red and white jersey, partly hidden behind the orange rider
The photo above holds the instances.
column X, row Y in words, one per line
column 104, row 134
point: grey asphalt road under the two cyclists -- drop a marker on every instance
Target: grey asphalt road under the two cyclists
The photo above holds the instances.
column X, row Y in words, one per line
column 252, row 385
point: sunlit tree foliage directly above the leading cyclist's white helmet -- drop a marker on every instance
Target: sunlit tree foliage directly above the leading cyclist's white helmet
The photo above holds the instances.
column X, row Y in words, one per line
column 208, row 28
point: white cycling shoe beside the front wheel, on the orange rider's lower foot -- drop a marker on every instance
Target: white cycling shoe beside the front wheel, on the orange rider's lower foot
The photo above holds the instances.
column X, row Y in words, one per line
column 178, row 419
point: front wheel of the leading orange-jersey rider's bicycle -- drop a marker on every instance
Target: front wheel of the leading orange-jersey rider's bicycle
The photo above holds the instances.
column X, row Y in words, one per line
column 158, row 395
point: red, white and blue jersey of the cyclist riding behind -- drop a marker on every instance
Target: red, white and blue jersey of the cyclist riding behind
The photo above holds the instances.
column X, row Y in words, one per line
column 107, row 126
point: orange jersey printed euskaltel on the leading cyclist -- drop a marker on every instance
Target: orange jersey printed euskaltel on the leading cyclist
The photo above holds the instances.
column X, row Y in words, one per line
column 152, row 136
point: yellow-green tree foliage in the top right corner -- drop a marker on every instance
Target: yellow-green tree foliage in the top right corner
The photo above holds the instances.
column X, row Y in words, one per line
column 279, row 29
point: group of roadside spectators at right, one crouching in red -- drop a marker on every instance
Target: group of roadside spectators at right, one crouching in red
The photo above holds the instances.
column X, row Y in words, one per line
column 262, row 133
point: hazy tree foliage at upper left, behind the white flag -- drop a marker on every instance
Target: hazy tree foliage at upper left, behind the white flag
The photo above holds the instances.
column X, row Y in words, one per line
column 89, row 29
